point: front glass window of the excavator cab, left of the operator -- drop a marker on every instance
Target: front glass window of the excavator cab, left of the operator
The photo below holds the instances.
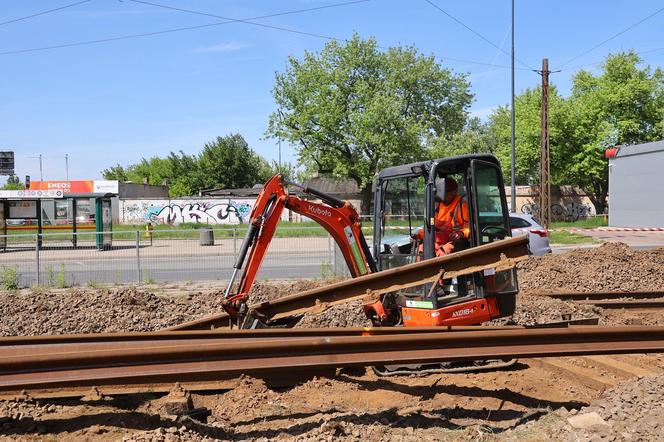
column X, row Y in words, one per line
column 402, row 217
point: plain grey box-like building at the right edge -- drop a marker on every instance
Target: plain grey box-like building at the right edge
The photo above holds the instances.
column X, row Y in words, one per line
column 636, row 183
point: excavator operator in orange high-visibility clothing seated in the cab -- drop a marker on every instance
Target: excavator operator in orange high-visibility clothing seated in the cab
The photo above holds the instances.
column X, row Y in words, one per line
column 451, row 220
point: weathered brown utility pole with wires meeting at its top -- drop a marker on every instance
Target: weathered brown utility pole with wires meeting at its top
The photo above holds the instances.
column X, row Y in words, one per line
column 545, row 177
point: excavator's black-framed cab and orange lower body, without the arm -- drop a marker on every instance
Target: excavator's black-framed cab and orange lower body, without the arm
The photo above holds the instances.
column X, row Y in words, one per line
column 405, row 205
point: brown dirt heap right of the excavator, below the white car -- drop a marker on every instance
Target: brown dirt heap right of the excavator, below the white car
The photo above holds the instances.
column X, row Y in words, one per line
column 612, row 266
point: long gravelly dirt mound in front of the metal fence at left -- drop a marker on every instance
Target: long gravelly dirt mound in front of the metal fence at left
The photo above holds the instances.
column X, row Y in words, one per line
column 118, row 309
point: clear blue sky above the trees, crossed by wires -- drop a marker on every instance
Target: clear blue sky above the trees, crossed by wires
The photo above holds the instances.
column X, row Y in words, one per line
column 118, row 101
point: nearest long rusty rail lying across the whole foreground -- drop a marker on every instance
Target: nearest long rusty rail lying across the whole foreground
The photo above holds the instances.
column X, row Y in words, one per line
column 214, row 361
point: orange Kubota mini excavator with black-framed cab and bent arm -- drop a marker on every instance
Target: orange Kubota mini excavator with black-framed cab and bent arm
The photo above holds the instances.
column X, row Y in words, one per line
column 405, row 200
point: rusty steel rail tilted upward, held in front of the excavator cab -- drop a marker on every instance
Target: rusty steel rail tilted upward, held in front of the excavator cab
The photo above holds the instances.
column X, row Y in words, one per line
column 499, row 254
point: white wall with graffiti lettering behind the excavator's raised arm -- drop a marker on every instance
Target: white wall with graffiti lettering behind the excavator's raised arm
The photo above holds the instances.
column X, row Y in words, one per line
column 189, row 210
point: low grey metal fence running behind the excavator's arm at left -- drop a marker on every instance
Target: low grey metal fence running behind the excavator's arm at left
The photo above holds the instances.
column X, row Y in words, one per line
column 68, row 259
